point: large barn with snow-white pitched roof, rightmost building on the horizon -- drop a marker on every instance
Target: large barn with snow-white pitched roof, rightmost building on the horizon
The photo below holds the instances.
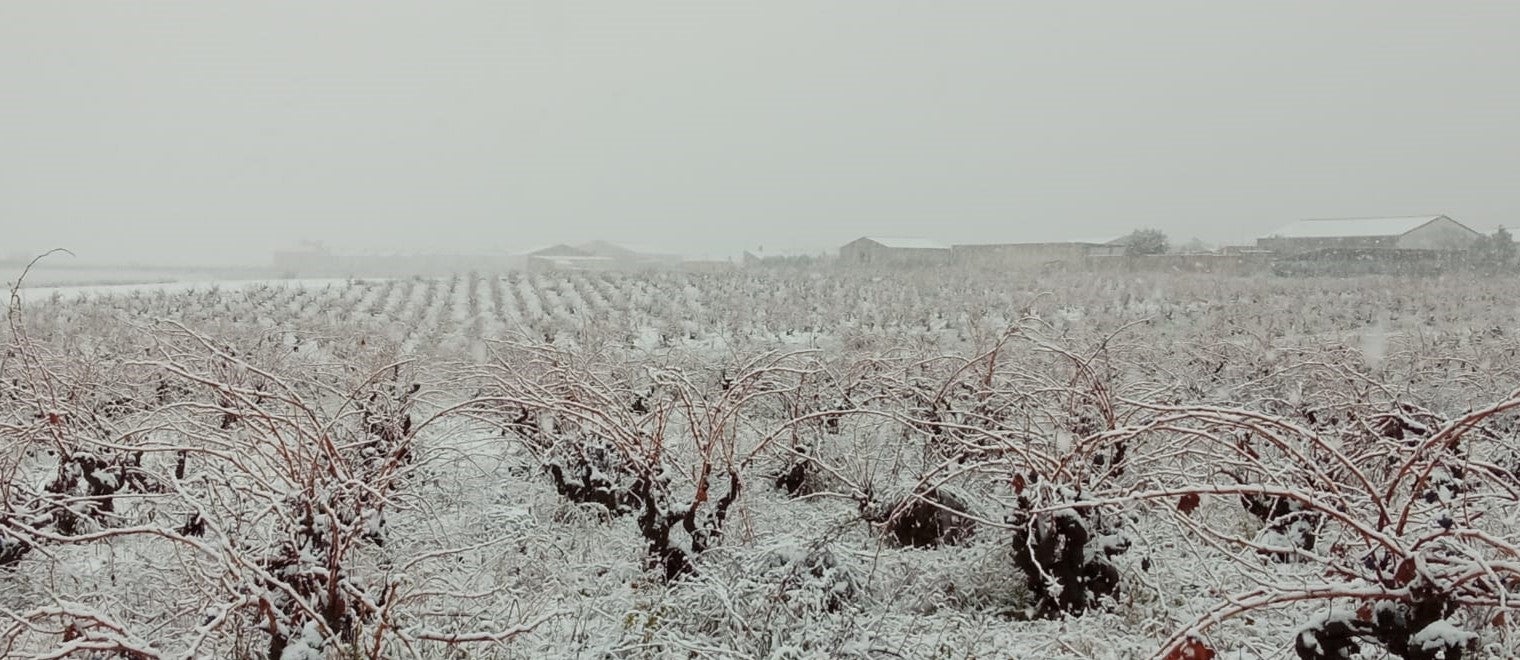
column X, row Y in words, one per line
column 1367, row 233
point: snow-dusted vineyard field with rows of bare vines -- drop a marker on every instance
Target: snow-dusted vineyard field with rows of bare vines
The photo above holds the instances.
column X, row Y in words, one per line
column 764, row 465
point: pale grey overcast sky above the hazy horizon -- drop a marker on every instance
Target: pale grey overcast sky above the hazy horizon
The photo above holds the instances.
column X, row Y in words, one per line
column 192, row 132
